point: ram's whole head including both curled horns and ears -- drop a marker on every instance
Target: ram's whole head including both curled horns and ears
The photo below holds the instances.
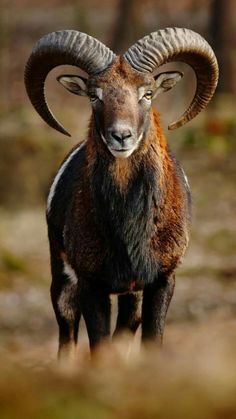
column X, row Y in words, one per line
column 121, row 88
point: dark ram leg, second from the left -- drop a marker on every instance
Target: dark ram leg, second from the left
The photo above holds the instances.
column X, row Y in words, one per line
column 96, row 309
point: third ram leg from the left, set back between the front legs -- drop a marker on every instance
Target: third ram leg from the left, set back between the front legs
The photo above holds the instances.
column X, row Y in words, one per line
column 129, row 313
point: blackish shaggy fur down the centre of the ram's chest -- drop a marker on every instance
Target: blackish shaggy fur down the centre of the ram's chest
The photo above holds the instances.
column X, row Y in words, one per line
column 125, row 219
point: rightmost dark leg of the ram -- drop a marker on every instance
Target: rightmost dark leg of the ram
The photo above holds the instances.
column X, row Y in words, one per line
column 156, row 300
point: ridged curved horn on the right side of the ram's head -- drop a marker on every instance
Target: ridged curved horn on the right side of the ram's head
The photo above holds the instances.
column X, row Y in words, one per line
column 179, row 44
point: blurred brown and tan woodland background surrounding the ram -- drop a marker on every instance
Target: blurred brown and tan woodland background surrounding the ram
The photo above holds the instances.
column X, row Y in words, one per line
column 30, row 153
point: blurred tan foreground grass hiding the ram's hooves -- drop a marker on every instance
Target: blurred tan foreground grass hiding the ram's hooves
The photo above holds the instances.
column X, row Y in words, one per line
column 193, row 377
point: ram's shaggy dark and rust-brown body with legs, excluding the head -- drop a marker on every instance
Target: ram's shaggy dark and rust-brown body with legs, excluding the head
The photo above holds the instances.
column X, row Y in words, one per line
column 117, row 226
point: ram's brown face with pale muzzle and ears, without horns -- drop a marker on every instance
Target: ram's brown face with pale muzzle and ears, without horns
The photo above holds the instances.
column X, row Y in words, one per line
column 121, row 100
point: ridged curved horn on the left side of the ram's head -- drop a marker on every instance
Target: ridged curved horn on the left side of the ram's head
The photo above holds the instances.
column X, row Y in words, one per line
column 60, row 48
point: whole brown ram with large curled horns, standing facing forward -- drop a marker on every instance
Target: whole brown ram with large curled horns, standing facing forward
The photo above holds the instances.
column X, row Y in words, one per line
column 119, row 207
